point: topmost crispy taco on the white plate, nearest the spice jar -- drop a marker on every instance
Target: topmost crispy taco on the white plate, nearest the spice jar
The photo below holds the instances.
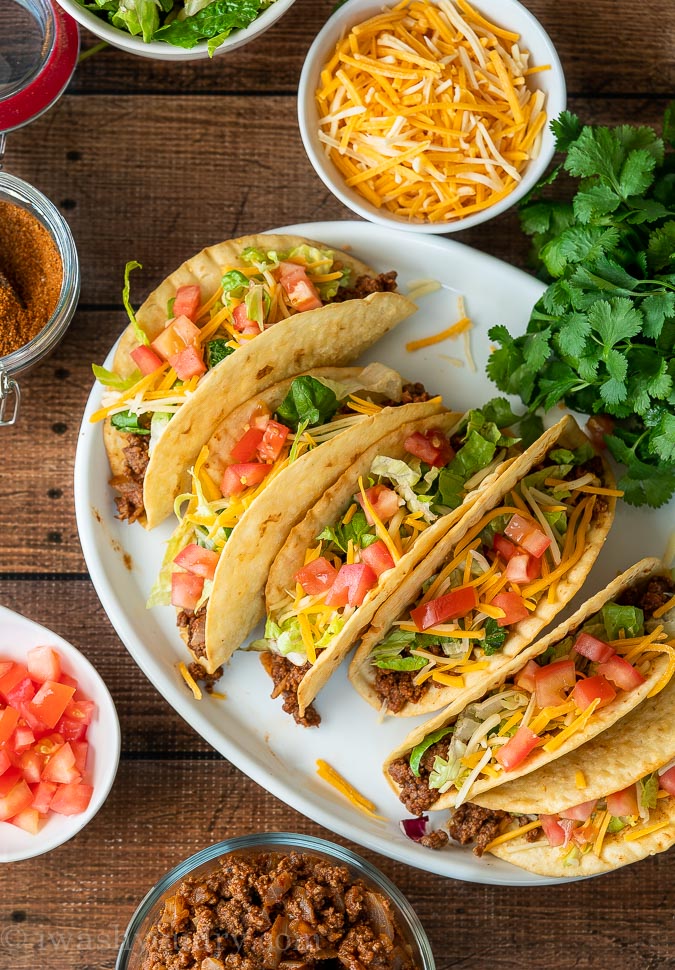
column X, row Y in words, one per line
column 282, row 303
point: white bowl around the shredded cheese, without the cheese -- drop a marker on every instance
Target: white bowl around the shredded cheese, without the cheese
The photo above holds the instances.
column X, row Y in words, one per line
column 507, row 13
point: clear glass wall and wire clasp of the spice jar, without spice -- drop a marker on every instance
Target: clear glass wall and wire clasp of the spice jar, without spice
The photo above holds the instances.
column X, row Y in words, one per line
column 18, row 192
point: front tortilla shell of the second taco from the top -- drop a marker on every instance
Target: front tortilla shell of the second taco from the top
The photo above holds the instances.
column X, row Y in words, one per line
column 237, row 599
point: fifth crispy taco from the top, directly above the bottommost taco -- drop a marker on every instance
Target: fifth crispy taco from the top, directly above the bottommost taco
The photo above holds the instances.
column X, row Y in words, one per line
column 561, row 692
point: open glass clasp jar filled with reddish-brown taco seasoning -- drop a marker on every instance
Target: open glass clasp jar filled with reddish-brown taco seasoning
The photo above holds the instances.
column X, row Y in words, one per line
column 39, row 284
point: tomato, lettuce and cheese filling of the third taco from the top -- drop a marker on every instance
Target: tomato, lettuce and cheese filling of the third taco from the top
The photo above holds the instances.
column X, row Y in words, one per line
column 400, row 499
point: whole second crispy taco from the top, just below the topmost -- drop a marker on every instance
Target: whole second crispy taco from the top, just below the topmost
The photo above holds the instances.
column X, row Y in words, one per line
column 268, row 462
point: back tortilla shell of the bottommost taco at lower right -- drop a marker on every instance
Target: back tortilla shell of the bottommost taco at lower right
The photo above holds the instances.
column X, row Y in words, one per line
column 640, row 743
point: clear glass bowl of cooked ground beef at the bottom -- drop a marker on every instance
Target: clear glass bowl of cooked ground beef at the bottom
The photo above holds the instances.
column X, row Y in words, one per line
column 276, row 901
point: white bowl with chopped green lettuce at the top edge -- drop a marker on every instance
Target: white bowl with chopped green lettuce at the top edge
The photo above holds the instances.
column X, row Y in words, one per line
column 177, row 30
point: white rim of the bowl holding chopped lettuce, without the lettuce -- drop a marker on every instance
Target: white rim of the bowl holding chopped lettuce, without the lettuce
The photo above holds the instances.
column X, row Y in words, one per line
column 162, row 51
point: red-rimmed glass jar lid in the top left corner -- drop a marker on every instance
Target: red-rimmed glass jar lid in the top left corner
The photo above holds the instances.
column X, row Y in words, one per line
column 58, row 44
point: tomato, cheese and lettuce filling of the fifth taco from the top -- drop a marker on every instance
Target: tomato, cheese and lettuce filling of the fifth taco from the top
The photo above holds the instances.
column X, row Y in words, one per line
column 544, row 704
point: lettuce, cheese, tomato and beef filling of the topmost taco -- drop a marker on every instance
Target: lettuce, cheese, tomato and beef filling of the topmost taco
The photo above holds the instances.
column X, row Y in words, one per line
column 263, row 289
